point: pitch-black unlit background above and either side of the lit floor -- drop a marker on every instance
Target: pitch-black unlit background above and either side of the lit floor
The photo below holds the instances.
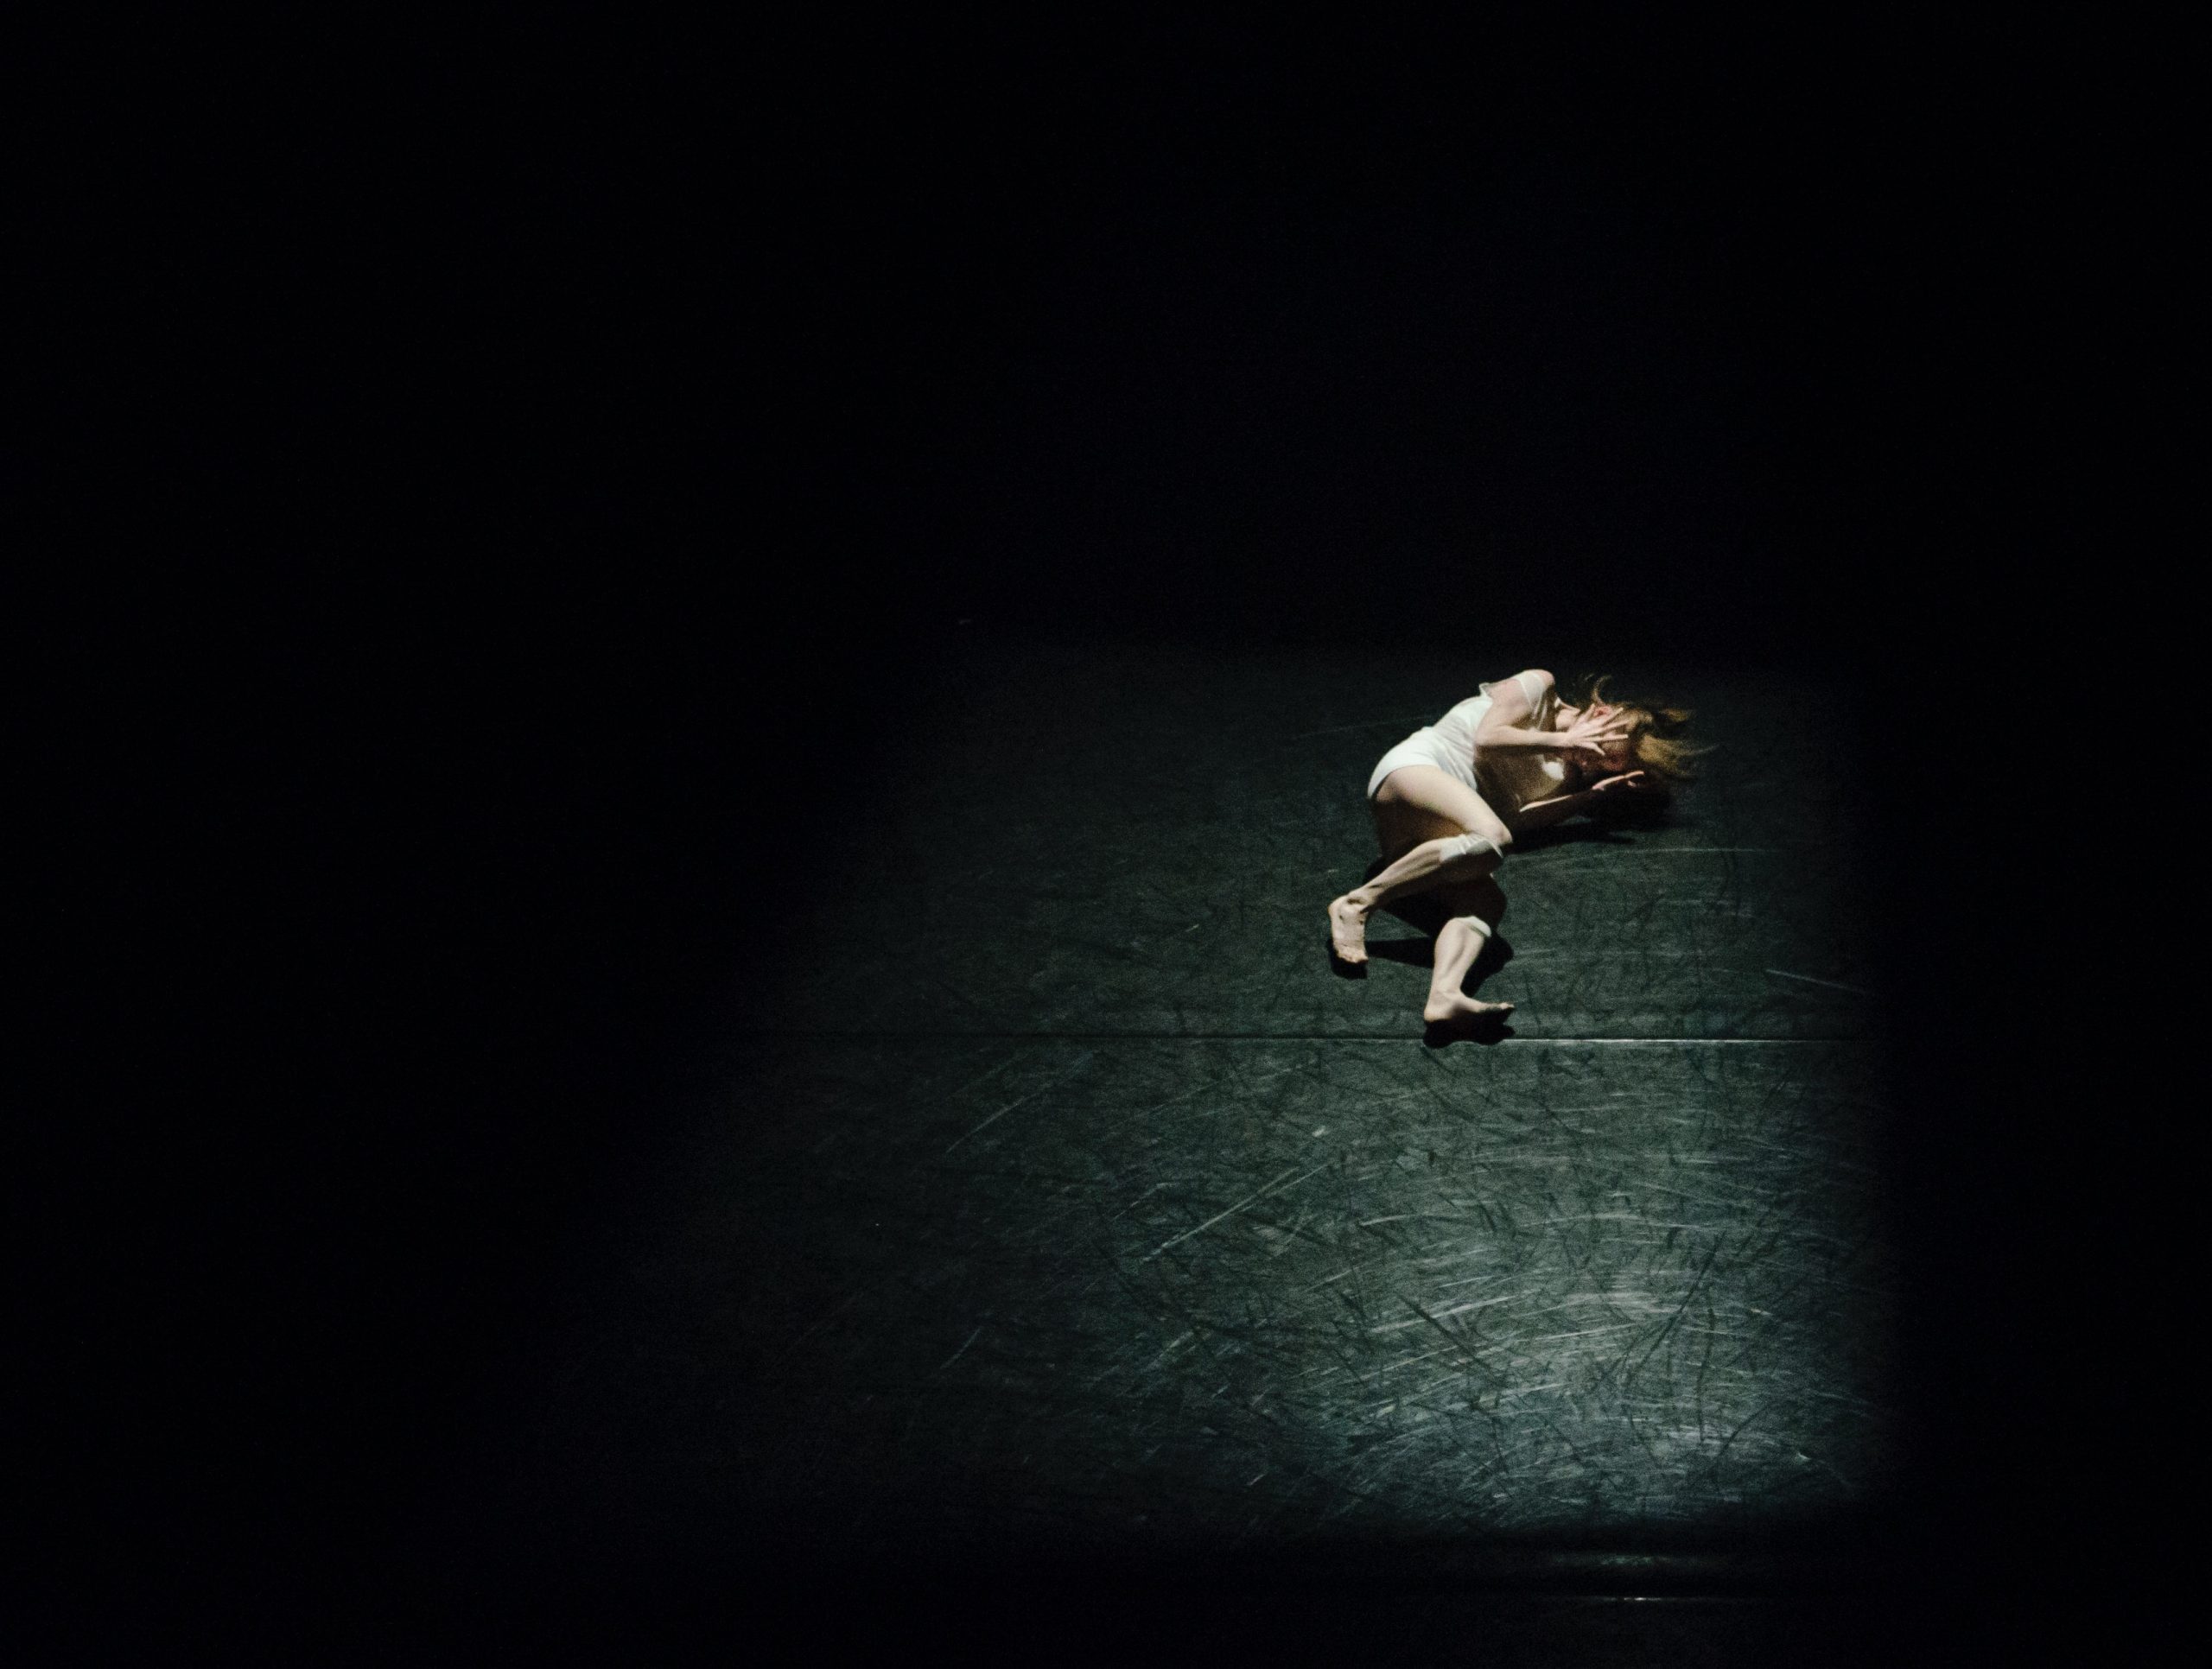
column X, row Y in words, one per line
column 512, row 454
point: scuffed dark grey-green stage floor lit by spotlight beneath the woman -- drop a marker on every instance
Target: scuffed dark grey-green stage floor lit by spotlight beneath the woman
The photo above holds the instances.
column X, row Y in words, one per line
column 1065, row 1210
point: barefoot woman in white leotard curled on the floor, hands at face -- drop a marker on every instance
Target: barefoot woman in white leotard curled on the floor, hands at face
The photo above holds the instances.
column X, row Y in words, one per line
column 1452, row 797
